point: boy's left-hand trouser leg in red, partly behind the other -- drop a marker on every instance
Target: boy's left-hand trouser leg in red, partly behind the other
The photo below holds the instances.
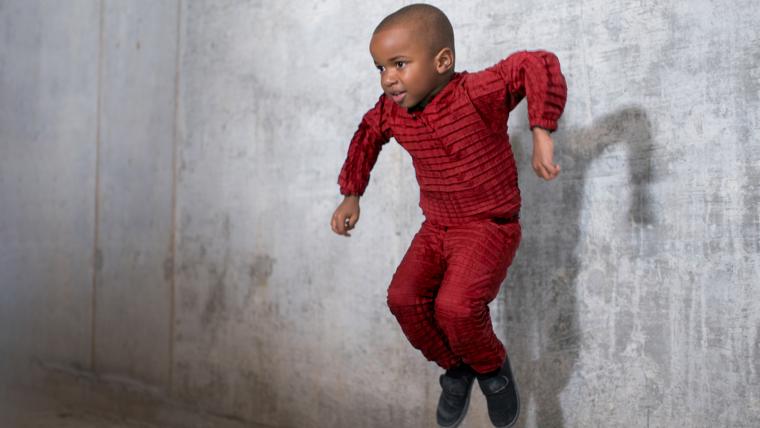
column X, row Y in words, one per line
column 411, row 293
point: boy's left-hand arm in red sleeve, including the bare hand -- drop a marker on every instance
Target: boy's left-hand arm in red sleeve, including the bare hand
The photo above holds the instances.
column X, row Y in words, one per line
column 363, row 152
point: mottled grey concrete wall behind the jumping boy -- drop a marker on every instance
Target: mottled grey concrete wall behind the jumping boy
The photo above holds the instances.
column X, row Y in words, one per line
column 168, row 173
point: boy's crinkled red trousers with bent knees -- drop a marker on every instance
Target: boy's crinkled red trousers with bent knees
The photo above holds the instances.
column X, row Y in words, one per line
column 441, row 290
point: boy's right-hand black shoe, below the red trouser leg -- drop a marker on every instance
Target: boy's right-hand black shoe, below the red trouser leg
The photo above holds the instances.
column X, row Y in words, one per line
column 502, row 398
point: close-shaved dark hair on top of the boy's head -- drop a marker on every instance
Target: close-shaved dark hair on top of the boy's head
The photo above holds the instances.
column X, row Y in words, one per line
column 428, row 23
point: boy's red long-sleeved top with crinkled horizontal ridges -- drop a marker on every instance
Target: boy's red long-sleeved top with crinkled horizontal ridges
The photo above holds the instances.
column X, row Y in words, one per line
column 459, row 143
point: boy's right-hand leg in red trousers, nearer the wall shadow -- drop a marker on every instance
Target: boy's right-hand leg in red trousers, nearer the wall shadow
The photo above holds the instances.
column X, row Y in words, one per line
column 478, row 255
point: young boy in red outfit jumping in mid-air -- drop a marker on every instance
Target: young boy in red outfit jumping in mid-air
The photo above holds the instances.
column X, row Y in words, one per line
column 454, row 125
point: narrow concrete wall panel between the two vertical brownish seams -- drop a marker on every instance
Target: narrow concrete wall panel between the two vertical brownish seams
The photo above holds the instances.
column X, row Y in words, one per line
column 135, row 196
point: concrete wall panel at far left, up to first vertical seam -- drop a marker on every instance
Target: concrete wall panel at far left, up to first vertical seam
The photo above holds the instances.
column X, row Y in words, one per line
column 48, row 108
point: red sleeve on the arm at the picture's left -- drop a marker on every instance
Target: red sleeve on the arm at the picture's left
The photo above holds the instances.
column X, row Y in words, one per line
column 363, row 150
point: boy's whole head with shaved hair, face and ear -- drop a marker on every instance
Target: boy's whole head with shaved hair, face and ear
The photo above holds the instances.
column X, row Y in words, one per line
column 414, row 50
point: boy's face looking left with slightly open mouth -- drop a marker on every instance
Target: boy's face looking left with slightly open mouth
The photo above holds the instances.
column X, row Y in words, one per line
column 408, row 73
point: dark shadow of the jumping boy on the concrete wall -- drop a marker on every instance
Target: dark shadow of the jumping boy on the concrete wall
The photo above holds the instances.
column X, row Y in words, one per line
column 541, row 312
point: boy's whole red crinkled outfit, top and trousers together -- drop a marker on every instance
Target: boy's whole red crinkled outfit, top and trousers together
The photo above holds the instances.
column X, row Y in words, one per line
column 467, row 176
